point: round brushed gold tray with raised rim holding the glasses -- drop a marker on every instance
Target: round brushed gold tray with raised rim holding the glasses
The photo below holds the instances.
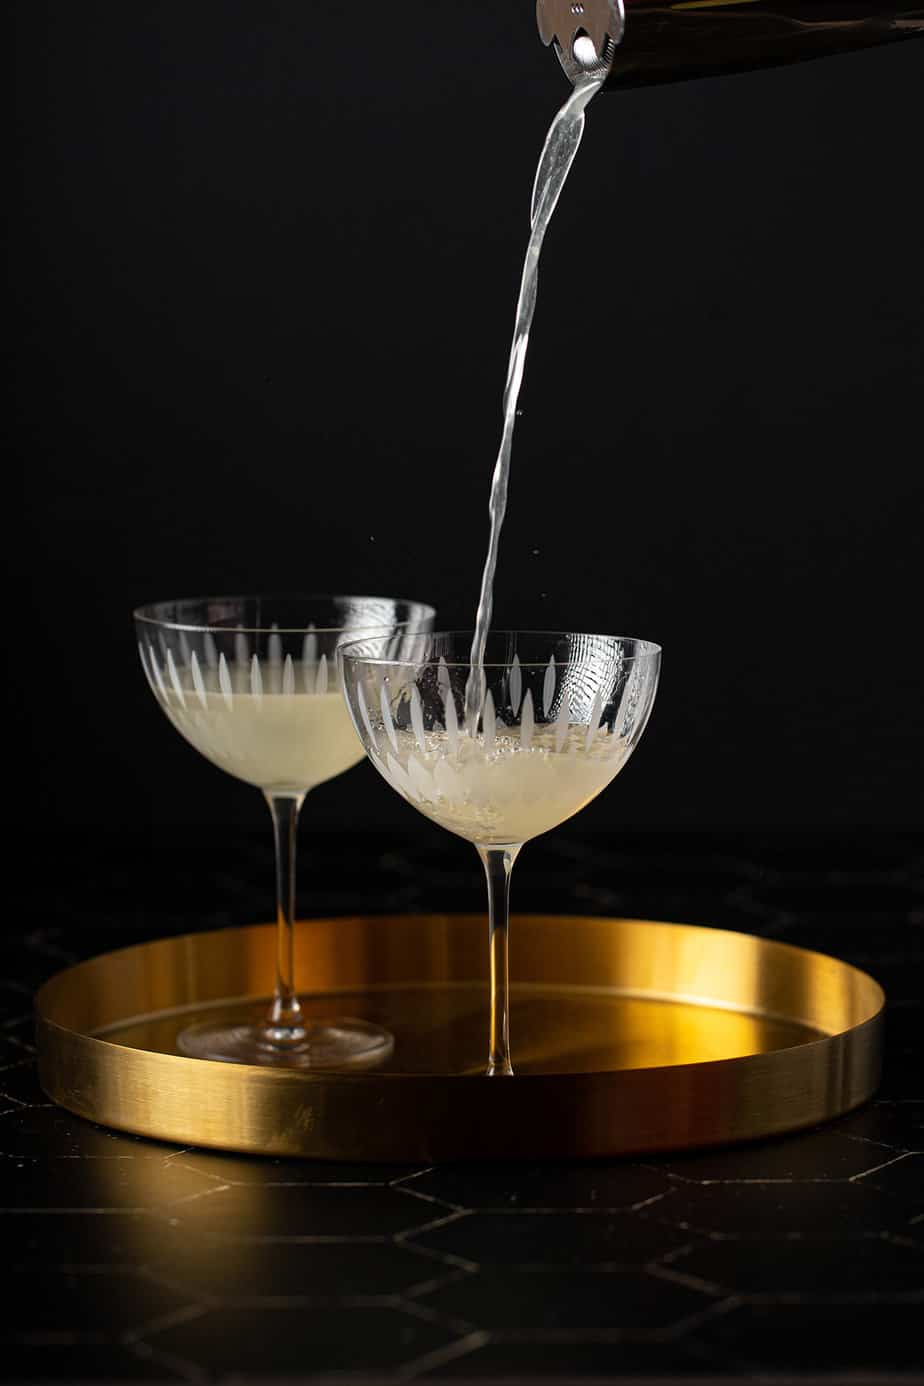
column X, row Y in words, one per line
column 628, row 1036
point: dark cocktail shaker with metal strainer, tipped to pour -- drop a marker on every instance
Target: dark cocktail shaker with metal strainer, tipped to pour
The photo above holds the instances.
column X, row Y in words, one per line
column 645, row 42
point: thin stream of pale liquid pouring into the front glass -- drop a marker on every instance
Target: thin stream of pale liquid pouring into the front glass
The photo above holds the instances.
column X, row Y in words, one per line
column 555, row 164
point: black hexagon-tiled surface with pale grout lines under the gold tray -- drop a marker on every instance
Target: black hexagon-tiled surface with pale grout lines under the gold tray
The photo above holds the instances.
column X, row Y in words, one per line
column 794, row 1259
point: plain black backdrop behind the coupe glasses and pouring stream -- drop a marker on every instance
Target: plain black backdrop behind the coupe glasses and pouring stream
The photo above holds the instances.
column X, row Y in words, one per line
column 264, row 275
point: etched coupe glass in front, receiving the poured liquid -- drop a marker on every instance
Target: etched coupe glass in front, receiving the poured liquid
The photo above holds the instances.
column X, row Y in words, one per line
column 559, row 717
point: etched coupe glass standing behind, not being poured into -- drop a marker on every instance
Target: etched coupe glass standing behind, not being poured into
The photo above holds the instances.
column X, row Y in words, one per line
column 254, row 685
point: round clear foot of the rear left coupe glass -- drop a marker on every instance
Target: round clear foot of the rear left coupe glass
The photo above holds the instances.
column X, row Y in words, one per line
column 336, row 1044
